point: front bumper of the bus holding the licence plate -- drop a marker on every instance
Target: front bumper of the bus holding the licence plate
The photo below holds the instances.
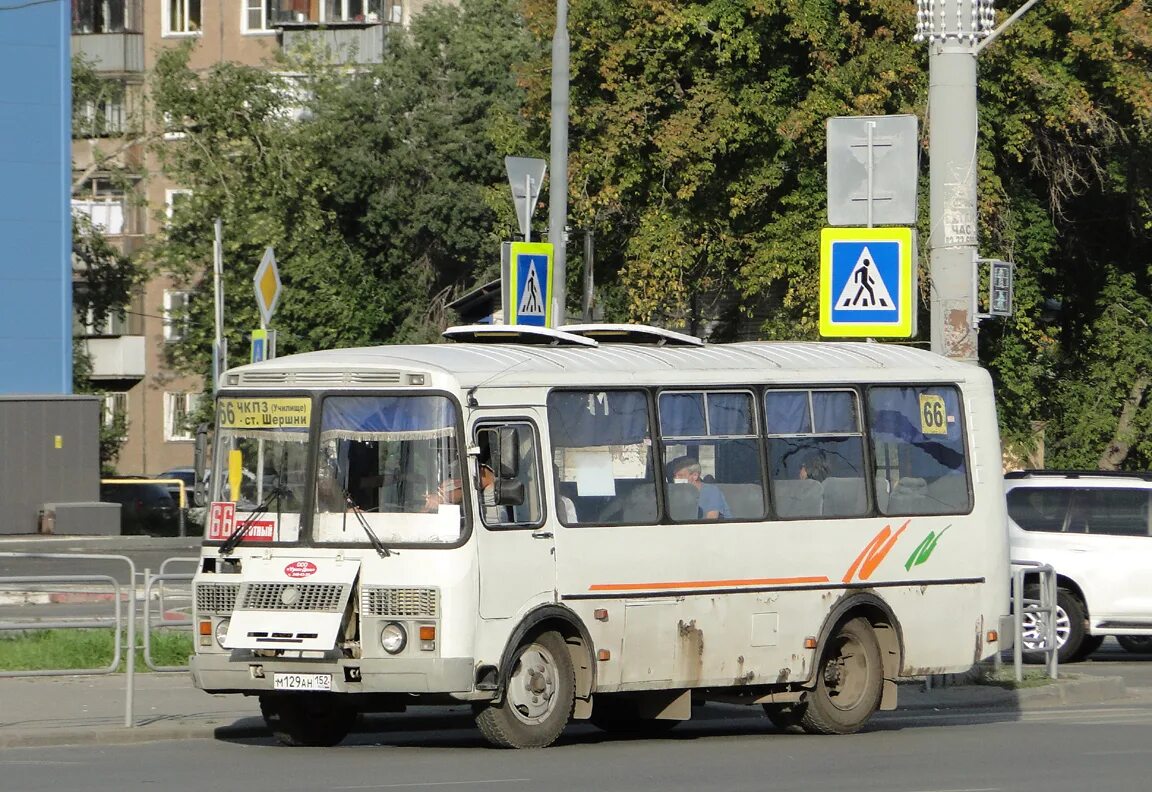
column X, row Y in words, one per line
column 221, row 674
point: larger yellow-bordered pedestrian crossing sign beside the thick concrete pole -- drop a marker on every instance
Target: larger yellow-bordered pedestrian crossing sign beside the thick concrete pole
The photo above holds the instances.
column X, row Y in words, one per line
column 868, row 283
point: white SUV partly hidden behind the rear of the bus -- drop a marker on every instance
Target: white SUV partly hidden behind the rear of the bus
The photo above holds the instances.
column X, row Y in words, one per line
column 1094, row 529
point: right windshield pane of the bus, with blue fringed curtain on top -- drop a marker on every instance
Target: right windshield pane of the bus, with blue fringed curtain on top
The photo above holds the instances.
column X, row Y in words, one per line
column 389, row 466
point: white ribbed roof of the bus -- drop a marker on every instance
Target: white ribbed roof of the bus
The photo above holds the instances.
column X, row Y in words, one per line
column 605, row 365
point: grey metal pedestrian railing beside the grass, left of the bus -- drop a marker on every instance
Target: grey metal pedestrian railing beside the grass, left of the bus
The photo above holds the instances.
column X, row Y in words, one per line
column 123, row 621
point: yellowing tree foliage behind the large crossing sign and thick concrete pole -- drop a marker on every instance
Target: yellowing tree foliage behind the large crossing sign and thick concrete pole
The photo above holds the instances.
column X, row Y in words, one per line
column 698, row 155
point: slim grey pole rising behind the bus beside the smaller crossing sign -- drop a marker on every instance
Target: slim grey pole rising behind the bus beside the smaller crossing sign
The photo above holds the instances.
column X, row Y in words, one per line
column 558, row 189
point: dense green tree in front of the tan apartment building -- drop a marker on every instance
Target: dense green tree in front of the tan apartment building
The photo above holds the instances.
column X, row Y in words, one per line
column 376, row 187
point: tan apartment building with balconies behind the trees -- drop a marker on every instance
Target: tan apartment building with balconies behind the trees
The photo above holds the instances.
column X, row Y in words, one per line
column 118, row 185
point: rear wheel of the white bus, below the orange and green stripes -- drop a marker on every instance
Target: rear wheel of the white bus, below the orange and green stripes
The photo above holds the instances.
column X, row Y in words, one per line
column 848, row 684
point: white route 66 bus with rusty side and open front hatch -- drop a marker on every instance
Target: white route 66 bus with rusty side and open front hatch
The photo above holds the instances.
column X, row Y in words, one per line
column 603, row 522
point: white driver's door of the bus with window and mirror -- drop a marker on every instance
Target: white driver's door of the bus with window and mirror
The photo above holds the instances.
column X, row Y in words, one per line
column 516, row 534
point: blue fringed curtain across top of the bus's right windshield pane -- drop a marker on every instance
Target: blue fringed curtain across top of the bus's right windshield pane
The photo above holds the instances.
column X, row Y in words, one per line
column 389, row 417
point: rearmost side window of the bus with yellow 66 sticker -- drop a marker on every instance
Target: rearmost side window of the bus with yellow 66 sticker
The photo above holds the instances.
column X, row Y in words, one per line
column 919, row 444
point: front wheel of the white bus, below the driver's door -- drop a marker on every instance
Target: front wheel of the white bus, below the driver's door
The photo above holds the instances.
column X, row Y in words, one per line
column 539, row 699
